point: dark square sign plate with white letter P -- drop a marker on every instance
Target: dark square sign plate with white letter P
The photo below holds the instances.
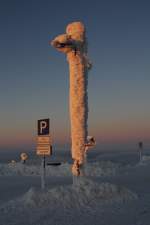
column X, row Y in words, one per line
column 43, row 127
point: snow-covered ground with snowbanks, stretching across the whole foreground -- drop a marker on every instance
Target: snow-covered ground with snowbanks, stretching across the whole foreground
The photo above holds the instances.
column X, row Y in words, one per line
column 115, row 191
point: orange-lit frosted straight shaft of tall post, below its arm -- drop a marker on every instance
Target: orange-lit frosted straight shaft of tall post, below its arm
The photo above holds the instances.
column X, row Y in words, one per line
column 78, row 106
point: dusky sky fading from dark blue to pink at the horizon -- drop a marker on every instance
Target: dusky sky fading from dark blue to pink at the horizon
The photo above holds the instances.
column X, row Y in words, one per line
column 34, row 77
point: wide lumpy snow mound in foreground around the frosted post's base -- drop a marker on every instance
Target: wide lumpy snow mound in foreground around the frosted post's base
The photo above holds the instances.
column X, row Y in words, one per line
column 84, row 193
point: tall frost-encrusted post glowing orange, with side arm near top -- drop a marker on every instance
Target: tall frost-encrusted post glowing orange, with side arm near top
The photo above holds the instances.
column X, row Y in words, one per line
column 73, row 43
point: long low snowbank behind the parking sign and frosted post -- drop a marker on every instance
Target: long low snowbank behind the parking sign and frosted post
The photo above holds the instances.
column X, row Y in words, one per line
column 102, row 168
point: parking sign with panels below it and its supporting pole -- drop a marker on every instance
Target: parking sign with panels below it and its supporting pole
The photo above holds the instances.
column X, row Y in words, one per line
column 44, row 147
